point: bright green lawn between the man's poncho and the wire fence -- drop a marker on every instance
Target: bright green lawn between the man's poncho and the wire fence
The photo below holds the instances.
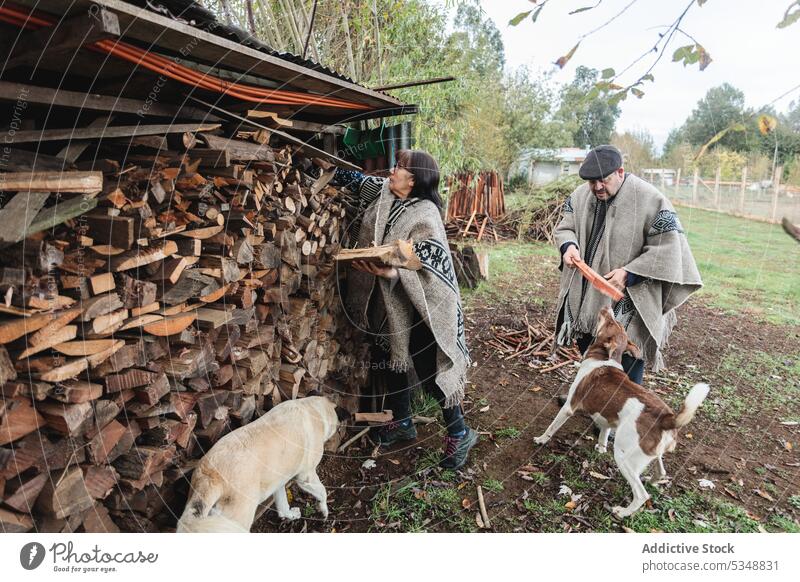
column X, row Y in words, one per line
column 747, row 266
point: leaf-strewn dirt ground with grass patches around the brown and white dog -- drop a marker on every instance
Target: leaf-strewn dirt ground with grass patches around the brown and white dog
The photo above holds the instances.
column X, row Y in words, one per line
column 743, row 442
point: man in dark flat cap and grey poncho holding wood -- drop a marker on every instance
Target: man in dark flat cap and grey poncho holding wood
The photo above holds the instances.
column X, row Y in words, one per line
column 625, row 229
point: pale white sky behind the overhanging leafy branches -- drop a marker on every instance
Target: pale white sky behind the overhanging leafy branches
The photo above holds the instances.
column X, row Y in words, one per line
column 749, row 52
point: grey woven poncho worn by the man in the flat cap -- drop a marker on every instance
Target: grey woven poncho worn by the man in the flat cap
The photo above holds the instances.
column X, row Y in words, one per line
column 643, row 236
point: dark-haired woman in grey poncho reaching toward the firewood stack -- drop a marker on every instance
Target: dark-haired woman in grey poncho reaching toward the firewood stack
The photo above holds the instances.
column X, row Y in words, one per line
column 414, row 317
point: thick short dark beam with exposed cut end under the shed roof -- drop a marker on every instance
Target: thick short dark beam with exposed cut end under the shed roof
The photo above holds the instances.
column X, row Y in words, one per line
column 65, row 37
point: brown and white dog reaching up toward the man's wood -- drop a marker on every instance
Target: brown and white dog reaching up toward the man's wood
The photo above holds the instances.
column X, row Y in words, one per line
column 645, row 426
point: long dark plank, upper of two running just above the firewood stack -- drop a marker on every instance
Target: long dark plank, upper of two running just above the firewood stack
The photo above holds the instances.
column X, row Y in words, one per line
column 96, row 102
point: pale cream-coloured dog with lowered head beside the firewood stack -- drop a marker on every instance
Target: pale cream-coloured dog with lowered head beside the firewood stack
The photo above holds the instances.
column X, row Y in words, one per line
column 247, row 466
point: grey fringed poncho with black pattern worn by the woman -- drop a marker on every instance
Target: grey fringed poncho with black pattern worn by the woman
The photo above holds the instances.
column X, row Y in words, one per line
column 432, row 291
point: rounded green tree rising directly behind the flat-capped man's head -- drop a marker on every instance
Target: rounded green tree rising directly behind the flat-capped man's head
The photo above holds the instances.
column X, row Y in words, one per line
column 591, row 121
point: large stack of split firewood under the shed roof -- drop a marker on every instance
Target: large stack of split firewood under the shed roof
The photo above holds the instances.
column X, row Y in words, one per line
column 149, row 308
